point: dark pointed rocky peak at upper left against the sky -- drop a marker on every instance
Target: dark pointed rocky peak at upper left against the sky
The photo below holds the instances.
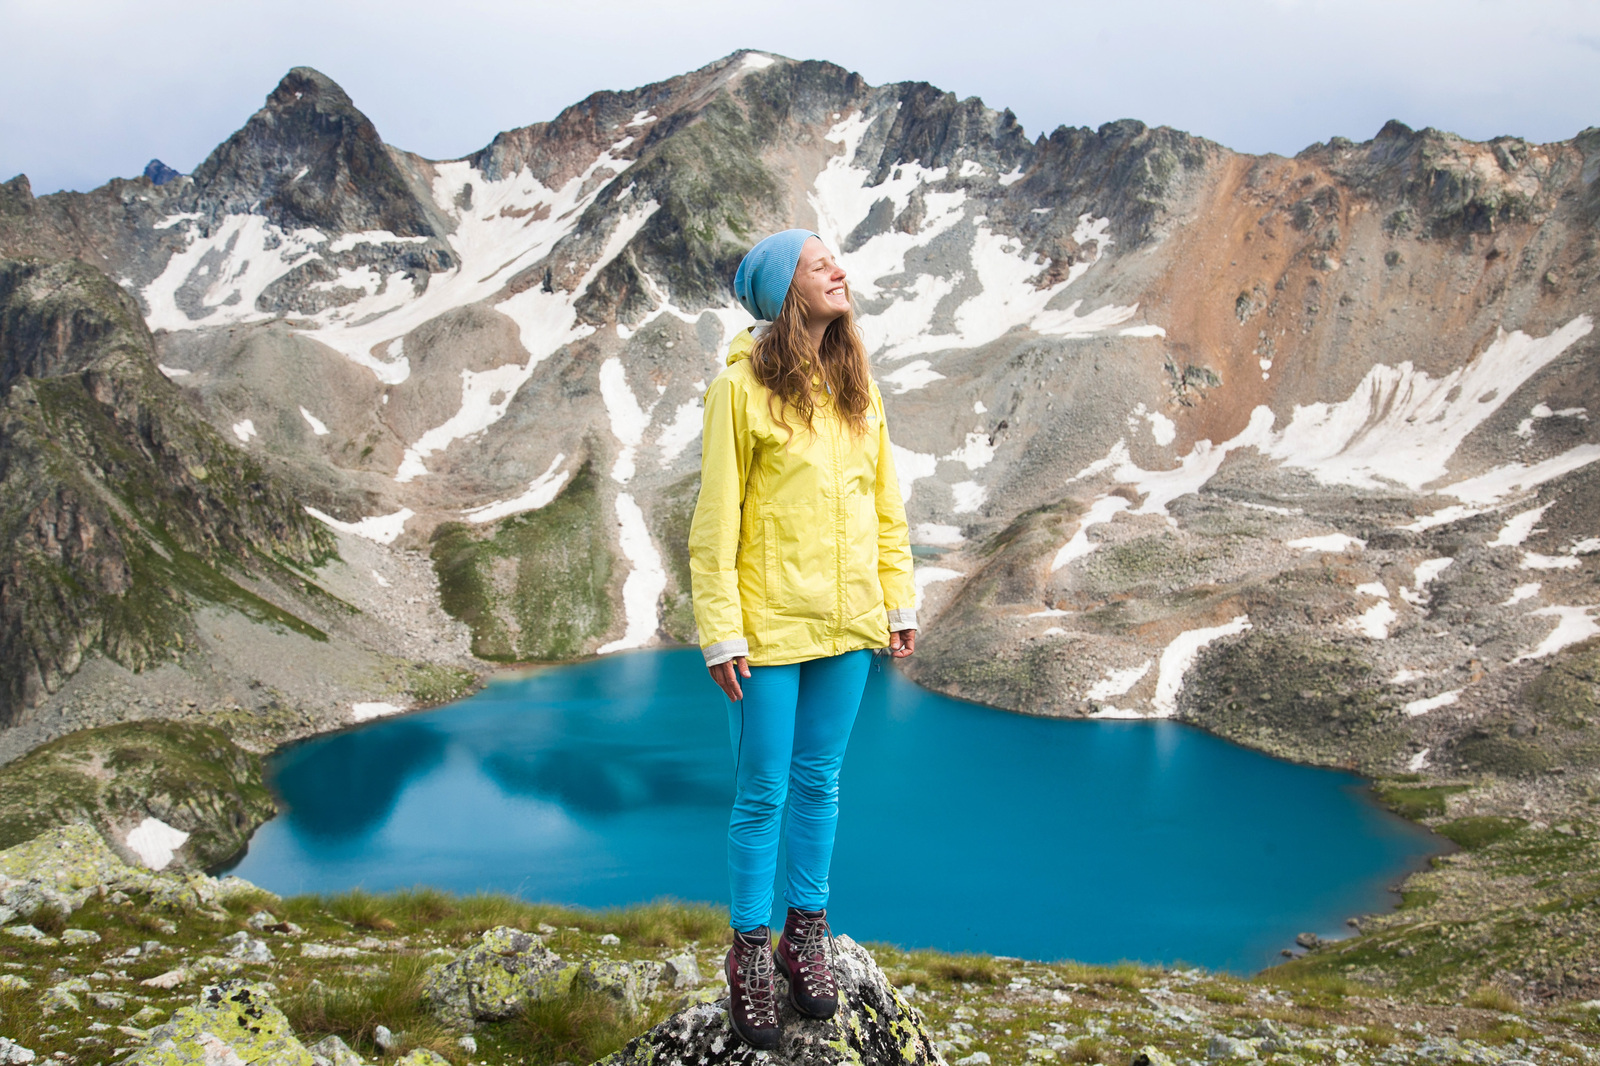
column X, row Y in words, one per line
column 311, row 159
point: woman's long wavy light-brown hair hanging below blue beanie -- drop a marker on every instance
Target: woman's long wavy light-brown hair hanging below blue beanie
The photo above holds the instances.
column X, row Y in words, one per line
column 783, row 361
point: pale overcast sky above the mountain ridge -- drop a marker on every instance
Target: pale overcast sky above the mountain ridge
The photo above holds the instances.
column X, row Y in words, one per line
column 95, row 89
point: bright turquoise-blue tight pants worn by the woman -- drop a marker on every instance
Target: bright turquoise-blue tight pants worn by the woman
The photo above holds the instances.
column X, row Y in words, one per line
column 790, row 737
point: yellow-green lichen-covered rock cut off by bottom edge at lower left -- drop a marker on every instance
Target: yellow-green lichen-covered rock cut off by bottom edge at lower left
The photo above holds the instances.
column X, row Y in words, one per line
column 233, row 1024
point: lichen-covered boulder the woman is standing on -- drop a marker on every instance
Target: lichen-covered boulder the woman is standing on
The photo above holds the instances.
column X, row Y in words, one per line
column 874, row 1027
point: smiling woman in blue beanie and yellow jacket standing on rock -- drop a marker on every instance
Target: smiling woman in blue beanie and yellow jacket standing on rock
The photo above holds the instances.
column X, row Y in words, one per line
column 802, row 567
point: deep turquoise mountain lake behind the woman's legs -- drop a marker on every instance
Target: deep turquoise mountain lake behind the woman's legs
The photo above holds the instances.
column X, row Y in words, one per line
column 962, row 828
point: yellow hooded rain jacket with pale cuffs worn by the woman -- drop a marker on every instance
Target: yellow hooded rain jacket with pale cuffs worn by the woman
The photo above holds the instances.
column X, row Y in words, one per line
column 799, row 547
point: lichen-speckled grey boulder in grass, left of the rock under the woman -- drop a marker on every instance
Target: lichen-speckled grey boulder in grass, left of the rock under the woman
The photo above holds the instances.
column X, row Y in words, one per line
column 495, row 977
